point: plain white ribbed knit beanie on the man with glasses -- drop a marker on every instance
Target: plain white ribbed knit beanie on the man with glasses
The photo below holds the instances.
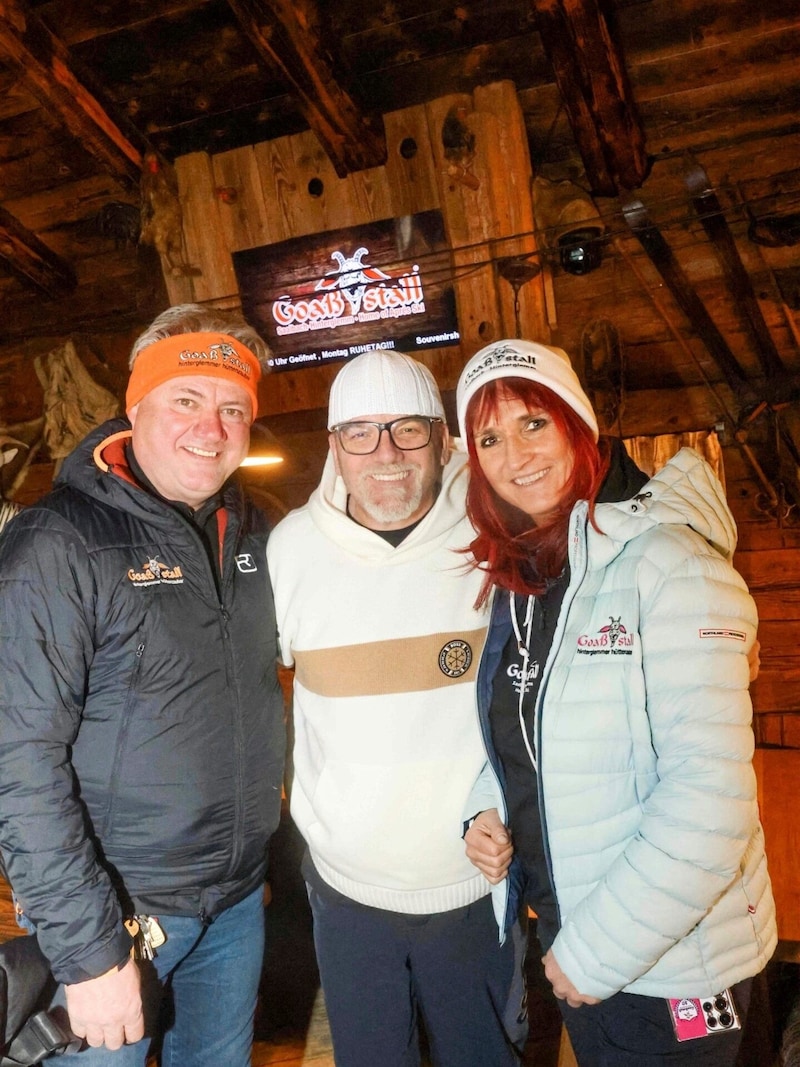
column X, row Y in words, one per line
column 383, row 383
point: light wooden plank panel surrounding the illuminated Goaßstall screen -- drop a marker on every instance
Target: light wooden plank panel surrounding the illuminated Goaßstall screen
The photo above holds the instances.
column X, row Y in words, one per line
column 263, row 195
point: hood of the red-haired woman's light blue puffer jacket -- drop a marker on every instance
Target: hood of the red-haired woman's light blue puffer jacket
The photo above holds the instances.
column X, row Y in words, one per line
column 685, row 492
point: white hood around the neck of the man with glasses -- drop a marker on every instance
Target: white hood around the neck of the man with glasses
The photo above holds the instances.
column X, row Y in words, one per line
column 328, row 509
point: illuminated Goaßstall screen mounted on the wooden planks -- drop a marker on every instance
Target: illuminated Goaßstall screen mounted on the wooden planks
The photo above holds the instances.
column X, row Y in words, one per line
column 328, row 297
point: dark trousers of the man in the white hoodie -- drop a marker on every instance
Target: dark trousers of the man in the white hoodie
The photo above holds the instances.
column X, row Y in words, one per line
column 382, row 972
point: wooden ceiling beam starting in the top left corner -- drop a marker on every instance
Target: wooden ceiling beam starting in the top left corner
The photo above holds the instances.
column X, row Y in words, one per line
column 43, row 65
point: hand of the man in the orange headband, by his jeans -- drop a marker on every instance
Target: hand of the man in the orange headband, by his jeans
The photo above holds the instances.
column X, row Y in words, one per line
column 108, row 1011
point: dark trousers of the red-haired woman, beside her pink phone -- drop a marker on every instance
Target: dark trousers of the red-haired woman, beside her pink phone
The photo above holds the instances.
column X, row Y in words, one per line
column 632, row 1031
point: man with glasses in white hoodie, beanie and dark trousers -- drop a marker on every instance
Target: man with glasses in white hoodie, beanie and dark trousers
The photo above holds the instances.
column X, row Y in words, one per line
column 375, row 611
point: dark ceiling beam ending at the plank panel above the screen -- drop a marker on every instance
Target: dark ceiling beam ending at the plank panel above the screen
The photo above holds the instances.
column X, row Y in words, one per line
column 286, row 34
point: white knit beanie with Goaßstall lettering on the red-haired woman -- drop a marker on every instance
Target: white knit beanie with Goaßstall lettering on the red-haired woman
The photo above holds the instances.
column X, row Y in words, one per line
column 524, row 359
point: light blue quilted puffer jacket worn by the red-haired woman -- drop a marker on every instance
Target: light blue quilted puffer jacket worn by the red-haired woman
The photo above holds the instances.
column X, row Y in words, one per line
column 645, row 744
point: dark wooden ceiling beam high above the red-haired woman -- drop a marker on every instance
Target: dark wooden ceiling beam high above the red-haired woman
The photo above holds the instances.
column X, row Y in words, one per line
column 593, row 79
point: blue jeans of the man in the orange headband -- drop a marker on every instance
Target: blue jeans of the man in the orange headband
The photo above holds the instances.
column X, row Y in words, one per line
column 200, row 994
